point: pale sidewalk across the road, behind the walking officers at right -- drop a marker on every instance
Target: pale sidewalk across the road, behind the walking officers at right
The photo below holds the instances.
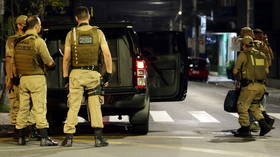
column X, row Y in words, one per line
column 274, row 93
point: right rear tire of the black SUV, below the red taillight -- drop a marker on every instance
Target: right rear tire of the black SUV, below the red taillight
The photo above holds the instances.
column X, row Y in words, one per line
column 140, row 120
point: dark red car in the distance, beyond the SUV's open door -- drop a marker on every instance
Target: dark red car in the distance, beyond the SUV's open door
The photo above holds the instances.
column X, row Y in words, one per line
column 198, row 68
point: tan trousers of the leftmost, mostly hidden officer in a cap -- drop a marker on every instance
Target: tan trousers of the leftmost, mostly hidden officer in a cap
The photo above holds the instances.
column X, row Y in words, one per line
column 13, row 96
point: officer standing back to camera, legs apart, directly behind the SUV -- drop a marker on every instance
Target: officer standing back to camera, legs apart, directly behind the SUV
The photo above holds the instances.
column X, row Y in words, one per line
column 81, row 51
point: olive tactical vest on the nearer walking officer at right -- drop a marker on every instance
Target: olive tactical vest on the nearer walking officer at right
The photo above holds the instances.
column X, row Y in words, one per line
column 255, row 68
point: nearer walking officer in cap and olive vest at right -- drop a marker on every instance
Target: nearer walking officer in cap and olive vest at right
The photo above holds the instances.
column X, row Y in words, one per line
column 252, row 68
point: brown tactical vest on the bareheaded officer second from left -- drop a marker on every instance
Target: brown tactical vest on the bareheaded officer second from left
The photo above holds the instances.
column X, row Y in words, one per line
column 26, row 60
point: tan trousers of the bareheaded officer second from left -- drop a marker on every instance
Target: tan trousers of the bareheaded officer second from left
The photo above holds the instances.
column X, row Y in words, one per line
column 32, row 88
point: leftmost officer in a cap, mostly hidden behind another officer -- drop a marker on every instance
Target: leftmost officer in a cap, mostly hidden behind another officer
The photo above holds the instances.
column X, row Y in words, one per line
column 13, row 90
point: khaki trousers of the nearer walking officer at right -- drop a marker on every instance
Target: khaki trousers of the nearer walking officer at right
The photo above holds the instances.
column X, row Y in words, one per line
column 254, row 91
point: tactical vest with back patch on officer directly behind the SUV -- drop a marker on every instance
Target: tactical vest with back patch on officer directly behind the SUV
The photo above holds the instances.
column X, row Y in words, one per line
column 85, row 49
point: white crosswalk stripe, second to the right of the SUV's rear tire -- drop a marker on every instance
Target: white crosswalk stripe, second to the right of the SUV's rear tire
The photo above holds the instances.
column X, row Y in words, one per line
column 204, row 117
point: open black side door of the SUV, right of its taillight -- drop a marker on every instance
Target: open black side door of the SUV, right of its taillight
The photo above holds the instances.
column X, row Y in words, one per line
column 166, row 55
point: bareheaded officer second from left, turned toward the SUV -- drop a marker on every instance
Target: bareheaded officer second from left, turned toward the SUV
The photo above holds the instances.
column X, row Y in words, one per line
column 31, row 56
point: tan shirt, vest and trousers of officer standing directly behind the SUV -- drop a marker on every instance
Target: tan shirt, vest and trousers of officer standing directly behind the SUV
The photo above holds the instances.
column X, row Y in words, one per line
column 85, row 42
